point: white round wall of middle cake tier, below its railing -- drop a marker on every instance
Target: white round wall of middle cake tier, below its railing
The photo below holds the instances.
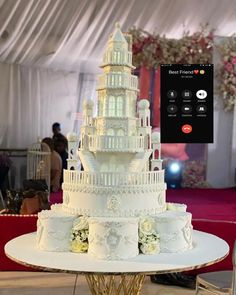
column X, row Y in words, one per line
column 130, row 202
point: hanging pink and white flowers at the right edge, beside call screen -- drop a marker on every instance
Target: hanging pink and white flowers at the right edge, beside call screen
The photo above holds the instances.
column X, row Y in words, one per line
column 227, row 72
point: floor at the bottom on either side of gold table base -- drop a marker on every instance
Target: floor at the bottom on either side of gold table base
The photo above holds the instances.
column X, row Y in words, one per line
column 28, row 283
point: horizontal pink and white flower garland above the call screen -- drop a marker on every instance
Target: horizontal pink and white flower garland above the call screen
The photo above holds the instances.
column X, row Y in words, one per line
column 151, row 50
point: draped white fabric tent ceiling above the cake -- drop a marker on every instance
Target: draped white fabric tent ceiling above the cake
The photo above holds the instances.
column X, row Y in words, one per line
column 71, row 34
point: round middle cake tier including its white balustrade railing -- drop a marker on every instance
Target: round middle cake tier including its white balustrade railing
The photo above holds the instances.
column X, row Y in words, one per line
column 114, row 194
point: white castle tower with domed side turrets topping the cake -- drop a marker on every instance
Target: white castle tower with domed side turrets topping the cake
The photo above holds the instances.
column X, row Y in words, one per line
column 119, row 137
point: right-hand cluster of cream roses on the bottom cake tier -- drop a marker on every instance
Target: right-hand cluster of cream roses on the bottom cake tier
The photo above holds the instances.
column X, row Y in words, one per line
column 149, row 242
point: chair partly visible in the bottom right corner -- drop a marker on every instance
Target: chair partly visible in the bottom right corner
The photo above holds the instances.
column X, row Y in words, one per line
column 219, row 282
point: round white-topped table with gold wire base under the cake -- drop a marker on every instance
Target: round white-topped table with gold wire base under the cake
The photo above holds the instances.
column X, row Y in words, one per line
column 102, row 275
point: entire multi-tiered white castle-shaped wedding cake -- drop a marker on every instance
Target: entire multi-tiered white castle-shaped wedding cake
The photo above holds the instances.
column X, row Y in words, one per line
column 116, row 208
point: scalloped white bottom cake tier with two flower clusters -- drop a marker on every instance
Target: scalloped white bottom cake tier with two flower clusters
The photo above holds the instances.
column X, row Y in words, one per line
column 115, row 238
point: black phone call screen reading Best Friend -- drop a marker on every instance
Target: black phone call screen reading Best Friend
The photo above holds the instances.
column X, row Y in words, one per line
column 187, row 103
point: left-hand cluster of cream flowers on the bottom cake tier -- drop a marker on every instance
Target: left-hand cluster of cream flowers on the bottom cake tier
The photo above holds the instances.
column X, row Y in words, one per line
column 79, row 235
